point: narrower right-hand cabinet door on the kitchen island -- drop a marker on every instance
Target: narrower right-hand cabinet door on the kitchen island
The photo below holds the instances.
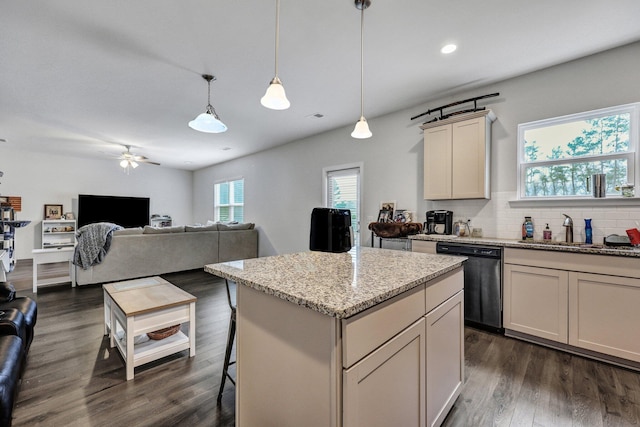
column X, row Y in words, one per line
column 445, row 357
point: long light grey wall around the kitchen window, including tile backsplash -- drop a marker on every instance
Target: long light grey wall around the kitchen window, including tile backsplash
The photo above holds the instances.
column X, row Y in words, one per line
column 282, row 185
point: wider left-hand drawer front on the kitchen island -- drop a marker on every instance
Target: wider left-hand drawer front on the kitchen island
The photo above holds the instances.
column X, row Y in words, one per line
column 366, row 331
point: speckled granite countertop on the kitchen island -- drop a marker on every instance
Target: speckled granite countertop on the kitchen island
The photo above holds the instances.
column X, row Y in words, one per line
column 337, row 284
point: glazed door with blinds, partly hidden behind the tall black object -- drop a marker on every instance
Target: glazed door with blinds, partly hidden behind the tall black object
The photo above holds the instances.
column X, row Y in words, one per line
column 343, row 192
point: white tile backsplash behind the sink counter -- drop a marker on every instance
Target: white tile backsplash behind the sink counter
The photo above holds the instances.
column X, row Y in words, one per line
column 498, row 219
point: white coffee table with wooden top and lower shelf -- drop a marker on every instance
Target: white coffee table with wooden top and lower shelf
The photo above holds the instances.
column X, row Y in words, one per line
column 135, row 307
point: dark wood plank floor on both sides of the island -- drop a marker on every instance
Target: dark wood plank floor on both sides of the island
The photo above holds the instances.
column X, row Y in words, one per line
column 73, row 378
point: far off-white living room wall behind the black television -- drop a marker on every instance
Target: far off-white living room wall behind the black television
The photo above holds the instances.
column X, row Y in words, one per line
column 47, row 179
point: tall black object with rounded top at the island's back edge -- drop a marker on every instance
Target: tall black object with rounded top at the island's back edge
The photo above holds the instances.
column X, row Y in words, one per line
column 331, row 230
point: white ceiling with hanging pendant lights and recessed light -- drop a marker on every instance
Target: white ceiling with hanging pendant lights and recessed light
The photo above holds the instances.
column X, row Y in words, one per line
column 83, row 77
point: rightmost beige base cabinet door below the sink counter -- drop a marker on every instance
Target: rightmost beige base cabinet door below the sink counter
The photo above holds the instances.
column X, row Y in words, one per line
column 604, row 314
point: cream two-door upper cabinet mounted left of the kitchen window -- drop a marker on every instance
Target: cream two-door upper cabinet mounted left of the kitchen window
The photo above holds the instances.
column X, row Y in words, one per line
column 457, row 157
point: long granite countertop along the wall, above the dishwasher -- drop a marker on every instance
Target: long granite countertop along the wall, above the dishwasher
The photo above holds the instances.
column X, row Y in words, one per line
column 554, row 245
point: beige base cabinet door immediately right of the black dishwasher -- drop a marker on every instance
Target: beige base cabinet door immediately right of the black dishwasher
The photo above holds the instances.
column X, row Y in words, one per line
column 536, row 301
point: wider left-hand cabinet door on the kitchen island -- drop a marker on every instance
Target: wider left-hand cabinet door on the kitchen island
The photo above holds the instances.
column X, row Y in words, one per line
column 387, row 388
